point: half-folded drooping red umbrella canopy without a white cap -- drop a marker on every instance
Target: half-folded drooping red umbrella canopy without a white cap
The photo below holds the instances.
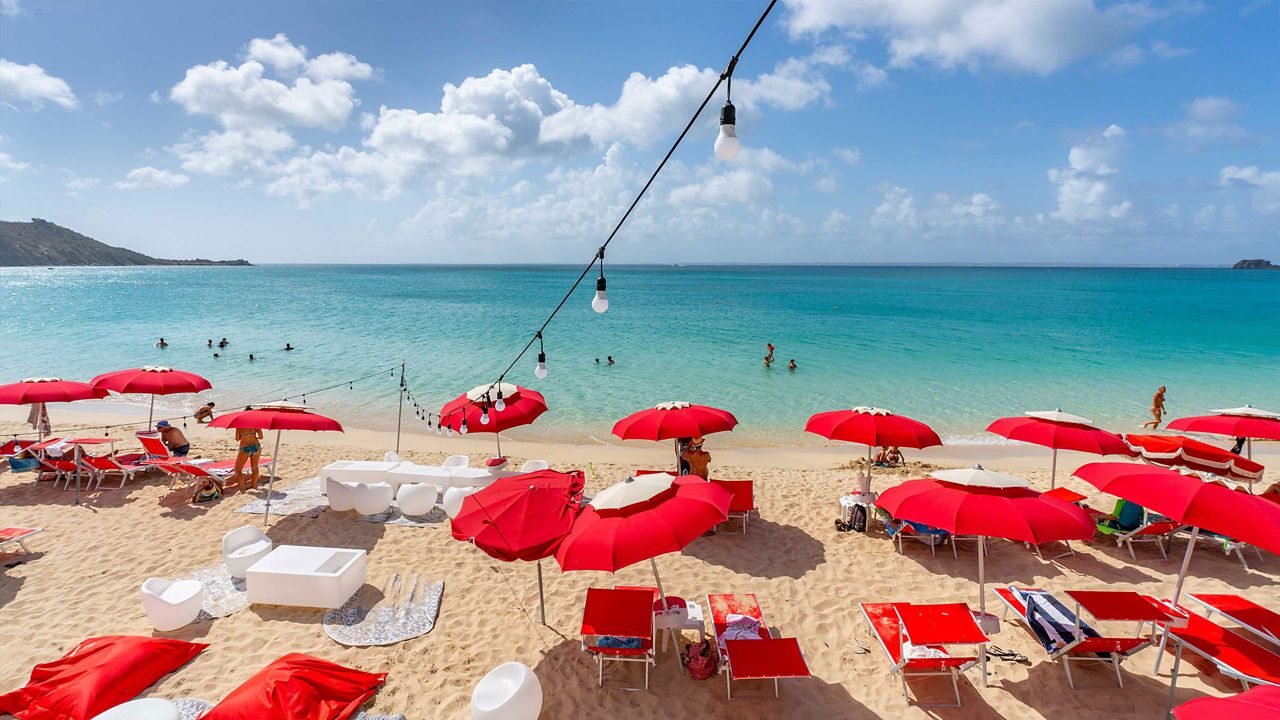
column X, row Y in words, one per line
column 522, row 517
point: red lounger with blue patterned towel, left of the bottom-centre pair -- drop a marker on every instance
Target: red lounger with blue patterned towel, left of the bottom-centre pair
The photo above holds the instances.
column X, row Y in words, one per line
column 619, row 626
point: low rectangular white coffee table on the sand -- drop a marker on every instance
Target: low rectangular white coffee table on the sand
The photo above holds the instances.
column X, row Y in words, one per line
column 307, row 577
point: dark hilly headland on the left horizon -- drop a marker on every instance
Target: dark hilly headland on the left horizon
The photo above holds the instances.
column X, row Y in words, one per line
column 42, row 243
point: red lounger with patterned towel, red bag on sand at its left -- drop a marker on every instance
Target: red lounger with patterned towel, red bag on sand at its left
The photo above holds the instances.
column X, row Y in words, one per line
column 748, row 649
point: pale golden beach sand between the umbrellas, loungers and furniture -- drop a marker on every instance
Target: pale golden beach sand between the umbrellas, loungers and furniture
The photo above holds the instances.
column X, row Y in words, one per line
column 88, row 566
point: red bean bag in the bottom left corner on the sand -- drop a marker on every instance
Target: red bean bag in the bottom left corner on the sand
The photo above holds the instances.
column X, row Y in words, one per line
column 97, row 676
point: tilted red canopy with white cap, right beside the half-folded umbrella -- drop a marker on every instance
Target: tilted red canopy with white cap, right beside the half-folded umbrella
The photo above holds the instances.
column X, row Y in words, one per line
column 611, row 540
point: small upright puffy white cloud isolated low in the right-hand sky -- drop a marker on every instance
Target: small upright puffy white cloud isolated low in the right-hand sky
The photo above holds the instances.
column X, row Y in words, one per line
column 1085, row 189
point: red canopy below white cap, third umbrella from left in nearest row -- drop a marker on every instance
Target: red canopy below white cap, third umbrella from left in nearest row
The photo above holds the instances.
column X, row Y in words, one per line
column 1012, row 513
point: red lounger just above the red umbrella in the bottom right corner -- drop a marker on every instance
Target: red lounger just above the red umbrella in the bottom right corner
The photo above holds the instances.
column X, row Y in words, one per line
column 1235, row 655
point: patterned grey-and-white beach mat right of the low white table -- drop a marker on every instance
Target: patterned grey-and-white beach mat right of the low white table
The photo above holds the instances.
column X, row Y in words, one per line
column 408, row 610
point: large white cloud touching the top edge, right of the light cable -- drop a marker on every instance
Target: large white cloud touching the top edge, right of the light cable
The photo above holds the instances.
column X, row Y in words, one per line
column 1037, row 37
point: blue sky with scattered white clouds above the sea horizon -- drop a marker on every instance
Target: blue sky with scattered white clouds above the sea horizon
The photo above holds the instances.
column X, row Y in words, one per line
column 874, row 131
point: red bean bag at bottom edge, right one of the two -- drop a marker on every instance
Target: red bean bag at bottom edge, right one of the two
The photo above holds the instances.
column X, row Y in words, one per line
column 299, row 687
